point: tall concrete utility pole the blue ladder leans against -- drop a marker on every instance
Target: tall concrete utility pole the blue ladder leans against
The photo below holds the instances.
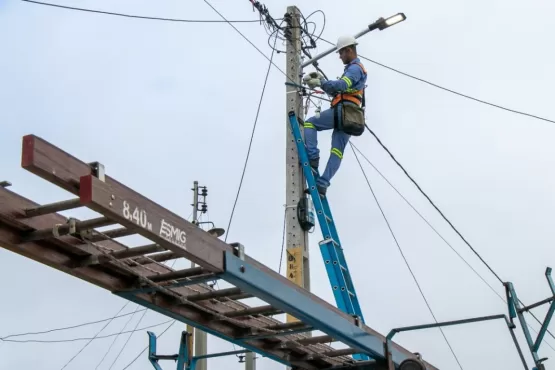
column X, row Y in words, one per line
column 298, row 269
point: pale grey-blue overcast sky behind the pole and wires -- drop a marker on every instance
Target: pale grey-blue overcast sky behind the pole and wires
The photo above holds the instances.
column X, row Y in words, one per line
column 163, row 104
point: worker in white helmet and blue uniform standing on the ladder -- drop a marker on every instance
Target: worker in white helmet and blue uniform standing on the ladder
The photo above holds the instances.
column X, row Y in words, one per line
column 348, row 96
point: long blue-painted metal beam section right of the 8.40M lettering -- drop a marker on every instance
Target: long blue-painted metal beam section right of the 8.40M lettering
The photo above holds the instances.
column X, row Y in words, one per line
column 268, row 288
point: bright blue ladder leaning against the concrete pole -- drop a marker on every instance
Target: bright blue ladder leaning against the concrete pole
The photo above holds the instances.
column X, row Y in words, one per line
column 332, row 252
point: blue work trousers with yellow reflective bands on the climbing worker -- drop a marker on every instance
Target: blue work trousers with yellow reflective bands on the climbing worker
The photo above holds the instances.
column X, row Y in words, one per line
column 339, row 140
